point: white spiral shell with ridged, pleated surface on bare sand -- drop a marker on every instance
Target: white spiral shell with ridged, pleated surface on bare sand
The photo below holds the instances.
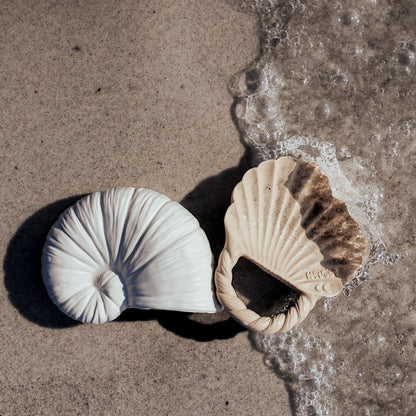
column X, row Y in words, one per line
column 127, row 248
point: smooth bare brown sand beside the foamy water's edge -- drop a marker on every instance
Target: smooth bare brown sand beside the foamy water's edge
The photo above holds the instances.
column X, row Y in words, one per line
column 120, row 93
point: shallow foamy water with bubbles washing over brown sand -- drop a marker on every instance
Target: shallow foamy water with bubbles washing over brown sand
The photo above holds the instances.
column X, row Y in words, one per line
column 334, row 84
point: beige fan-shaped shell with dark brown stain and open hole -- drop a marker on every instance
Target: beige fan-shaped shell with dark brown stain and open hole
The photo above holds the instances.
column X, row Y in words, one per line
column 284, row 219
